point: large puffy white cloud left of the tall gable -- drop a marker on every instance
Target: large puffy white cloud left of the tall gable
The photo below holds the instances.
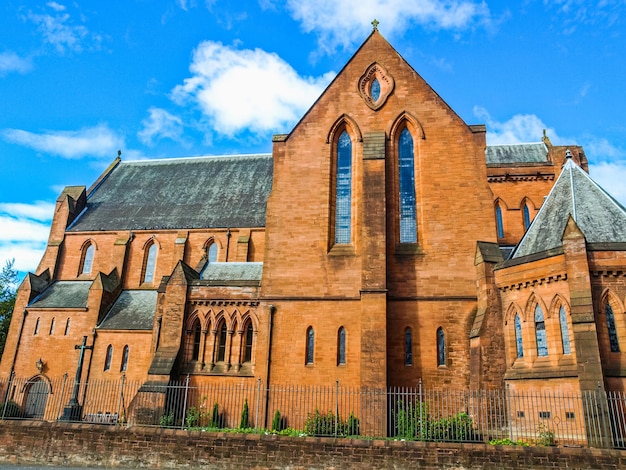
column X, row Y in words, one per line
column 247, row 89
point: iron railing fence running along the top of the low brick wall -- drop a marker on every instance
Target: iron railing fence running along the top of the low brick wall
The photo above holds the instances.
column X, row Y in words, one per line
column 592, row 418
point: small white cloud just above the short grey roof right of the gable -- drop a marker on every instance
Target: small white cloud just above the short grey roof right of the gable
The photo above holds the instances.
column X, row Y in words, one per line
column 519, row 129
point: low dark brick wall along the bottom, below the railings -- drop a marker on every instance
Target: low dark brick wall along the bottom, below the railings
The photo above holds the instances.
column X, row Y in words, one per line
column 29, row 443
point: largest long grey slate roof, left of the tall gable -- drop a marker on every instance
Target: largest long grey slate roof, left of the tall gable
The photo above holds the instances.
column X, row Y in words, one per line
column 180, row 193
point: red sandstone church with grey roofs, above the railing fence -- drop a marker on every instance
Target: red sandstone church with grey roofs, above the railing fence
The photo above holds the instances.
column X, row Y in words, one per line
column 381, row 243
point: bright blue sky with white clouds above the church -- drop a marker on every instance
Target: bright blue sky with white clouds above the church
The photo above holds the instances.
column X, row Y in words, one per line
column 168, row 78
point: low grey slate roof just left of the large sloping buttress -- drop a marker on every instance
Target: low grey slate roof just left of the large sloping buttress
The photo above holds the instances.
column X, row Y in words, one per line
column 133, row 310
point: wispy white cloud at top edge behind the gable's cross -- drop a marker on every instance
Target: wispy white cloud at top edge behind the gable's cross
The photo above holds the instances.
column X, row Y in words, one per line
column 345, row 22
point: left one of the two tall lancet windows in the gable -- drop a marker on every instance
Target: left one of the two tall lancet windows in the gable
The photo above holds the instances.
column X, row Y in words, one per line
column 343, row 192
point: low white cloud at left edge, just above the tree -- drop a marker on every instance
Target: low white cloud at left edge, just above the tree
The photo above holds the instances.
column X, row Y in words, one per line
column 24, row 234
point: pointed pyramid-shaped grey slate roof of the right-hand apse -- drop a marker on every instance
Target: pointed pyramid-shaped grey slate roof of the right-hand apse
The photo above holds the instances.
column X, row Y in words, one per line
column 600, row 217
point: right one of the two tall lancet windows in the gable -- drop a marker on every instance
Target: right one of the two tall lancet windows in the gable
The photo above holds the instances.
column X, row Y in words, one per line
column 406, row 179
